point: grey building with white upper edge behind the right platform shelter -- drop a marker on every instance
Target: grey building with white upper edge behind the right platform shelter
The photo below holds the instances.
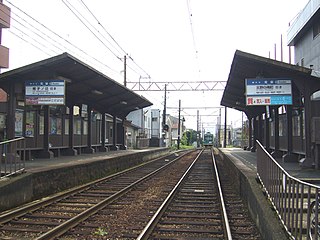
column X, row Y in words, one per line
column 304, row 36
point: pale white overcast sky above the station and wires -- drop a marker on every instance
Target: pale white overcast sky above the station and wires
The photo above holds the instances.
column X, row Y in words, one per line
column 165, row 41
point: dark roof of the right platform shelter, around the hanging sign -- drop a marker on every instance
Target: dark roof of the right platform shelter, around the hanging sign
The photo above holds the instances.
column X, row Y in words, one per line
column 246, row 65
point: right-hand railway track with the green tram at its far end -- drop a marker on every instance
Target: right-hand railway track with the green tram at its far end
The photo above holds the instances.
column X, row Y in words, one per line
column 200, row 208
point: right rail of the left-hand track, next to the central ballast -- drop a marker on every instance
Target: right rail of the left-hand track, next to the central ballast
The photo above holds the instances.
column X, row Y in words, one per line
column 67, row 225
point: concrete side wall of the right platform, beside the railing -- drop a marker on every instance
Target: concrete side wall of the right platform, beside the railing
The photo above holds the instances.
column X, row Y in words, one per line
column 258, row 205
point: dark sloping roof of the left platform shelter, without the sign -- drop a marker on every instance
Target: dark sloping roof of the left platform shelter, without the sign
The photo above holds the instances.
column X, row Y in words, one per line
column 84, row 85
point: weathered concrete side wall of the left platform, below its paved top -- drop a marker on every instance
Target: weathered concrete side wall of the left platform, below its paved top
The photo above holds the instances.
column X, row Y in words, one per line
column 31, row 186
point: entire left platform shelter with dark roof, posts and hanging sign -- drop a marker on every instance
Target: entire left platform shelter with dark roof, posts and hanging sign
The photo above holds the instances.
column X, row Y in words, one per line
column 61, row 105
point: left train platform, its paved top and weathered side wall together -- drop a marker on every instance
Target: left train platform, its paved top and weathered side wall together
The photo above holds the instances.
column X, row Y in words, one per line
column 43, row 177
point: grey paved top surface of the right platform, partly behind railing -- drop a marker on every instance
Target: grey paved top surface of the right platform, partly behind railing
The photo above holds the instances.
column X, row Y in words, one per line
column 293, row 168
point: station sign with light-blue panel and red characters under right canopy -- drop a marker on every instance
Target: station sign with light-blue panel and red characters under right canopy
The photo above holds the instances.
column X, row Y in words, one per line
column 268, row 91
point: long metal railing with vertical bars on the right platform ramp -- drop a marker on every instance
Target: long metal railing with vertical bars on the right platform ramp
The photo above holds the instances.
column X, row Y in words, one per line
column 296, row 202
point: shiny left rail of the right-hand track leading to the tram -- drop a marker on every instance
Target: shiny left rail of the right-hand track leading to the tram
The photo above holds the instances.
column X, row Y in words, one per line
column 145, row 233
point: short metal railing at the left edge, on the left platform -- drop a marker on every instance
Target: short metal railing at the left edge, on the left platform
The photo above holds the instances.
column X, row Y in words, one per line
column 12, row 157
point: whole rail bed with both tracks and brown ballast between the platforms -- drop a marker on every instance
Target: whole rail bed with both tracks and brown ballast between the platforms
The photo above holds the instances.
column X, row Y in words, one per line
column 176, row 201
